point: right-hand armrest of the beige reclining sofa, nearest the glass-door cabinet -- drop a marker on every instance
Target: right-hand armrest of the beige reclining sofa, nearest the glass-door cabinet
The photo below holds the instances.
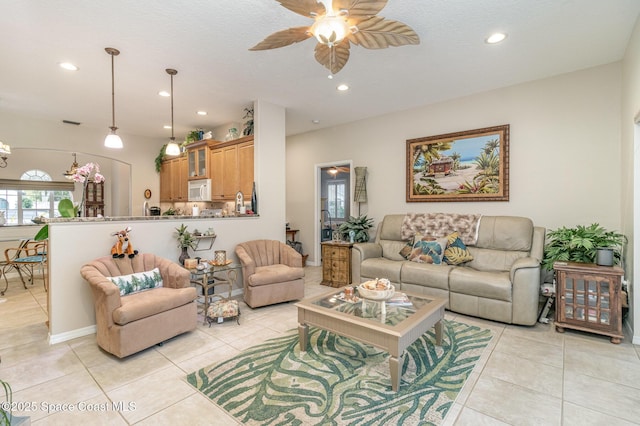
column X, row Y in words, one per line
column 525, row 279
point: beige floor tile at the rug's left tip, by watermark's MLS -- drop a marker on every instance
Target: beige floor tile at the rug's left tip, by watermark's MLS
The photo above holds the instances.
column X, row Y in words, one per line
column 153, row 393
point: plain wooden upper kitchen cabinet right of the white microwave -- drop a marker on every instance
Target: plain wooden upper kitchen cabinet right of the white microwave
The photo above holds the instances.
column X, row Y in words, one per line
column 231, row 165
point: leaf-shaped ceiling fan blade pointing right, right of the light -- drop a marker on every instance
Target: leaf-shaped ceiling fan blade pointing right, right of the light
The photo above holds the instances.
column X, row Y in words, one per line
column 380, row 33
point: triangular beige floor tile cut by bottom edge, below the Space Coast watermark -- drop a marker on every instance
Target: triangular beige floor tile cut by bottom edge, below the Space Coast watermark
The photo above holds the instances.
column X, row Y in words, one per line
column 97, row 411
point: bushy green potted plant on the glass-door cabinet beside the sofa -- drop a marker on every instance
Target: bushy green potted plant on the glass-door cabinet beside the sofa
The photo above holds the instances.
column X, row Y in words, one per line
column 581, row 244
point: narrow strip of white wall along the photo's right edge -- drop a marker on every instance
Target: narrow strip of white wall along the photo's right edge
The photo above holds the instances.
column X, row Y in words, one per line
column 630, row 166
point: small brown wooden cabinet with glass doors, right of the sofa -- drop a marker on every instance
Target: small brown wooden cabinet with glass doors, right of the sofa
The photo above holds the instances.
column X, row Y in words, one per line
column 588, row 298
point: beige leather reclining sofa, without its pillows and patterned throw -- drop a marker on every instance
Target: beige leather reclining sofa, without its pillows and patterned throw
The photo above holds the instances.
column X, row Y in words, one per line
column 501, row 283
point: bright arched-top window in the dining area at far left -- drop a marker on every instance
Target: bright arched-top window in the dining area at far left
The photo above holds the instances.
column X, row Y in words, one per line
column 33, row 195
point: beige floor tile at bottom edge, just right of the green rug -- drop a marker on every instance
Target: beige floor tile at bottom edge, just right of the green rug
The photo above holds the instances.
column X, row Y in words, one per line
column 514, row 404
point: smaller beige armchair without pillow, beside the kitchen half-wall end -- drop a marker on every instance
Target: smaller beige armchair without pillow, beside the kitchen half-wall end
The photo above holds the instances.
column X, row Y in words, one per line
column 271, row 272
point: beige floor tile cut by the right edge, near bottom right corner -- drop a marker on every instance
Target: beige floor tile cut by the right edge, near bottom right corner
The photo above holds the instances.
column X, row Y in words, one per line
column 602, row 396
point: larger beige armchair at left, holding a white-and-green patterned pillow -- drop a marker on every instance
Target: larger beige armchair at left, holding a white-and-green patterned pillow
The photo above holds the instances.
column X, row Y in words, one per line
column 133, row 322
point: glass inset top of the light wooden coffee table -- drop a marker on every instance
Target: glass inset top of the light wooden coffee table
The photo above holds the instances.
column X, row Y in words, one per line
column 391, row 312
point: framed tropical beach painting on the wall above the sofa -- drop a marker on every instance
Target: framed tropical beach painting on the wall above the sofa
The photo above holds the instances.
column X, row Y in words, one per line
column 465, row 166
